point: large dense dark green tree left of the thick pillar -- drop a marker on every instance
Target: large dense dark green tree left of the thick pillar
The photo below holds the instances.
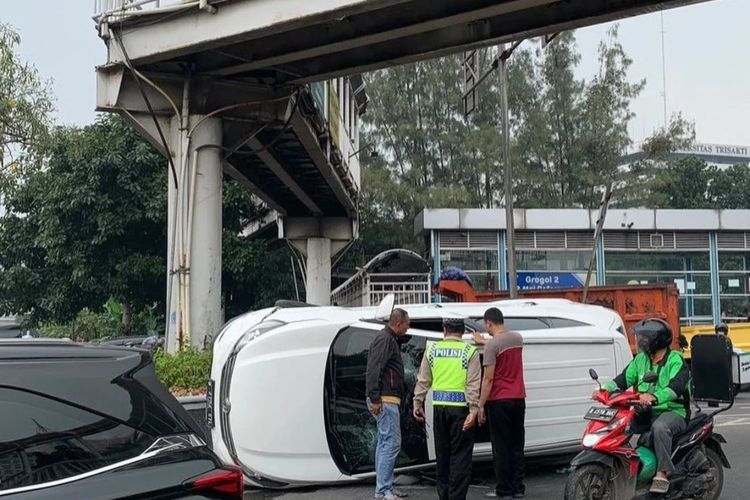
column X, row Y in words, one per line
column 88, row 226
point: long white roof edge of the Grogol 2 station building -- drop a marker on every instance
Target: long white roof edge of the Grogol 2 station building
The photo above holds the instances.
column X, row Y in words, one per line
column 528, row 219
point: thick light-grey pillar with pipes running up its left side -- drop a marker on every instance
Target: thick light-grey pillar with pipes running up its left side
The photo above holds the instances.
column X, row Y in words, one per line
column 195, row 224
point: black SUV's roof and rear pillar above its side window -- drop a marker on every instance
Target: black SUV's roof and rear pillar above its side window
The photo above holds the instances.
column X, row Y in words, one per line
column 115, row 381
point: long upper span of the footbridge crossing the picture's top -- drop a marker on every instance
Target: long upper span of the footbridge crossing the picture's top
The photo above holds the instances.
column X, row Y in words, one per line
column 295, row 42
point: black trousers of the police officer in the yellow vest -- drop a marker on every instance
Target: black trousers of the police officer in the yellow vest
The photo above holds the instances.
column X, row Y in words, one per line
column 454, row 450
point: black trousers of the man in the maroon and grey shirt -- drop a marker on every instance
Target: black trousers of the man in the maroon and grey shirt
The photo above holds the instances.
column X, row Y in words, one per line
column 507, row 432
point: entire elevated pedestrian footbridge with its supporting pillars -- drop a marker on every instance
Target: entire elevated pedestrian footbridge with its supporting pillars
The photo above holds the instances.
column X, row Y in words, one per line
column 269, row 93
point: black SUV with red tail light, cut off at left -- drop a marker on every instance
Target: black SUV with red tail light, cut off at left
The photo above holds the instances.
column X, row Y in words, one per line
column 94, row 422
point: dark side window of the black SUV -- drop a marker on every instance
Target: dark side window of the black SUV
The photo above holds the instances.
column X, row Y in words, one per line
column 43, row 440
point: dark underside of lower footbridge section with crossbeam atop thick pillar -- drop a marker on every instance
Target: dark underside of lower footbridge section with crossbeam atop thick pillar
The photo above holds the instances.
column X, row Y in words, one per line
column 274, row 140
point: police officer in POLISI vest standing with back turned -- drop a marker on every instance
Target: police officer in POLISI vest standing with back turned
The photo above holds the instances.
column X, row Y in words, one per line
column 452, row 368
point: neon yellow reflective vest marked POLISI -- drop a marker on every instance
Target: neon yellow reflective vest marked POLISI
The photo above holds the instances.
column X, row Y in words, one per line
column 449, row 363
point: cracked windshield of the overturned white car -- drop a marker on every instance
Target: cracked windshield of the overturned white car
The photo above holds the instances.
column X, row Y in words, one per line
column 351, row 430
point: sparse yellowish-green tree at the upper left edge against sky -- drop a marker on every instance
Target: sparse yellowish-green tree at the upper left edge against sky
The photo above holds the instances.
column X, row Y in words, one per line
column 25, row 107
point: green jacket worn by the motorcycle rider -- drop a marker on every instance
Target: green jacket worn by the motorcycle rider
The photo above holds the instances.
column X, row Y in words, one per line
column 672, row 388
